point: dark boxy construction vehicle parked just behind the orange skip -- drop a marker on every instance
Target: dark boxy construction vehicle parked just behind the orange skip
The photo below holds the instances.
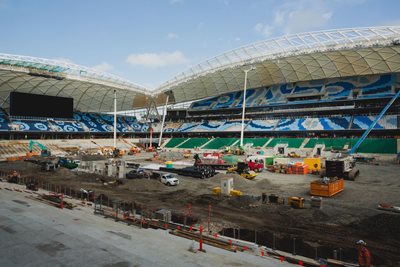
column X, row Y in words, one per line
column 341, row 167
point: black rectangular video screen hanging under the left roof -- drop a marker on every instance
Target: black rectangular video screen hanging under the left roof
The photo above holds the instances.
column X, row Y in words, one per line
column 23, row 104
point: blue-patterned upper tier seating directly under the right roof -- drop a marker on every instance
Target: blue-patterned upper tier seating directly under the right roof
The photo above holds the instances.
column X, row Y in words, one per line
column 371, row 86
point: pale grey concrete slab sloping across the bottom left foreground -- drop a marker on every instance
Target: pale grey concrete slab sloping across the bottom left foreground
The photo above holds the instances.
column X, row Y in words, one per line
column 36, row 234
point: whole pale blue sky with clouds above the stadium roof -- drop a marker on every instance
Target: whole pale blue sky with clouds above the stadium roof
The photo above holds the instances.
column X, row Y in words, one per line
column 148, row 42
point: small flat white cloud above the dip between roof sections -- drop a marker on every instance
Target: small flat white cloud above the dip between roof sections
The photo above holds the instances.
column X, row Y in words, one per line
column 154, row 60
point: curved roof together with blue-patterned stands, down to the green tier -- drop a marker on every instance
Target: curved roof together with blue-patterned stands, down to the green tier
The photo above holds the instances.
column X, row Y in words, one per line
column 326, row 83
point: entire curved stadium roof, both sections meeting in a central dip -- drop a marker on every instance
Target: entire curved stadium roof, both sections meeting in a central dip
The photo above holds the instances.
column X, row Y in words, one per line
column 287, row 59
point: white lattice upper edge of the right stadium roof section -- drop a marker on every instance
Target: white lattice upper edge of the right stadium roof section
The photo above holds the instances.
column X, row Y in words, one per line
column 289, row 45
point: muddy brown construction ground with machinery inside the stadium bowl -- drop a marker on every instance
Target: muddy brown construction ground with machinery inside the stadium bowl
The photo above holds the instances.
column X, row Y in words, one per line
column 276, row 209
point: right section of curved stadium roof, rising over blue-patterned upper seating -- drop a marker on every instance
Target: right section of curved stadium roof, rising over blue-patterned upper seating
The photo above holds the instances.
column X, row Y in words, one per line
column 287, row 59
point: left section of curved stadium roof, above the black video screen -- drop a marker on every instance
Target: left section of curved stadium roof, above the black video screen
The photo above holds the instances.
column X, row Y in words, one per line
column 92, row 90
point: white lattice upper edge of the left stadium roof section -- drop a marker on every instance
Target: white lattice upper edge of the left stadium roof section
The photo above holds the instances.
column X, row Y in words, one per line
column 68, row 70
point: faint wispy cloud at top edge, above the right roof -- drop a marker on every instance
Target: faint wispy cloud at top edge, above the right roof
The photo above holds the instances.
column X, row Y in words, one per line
column 298, row 16
